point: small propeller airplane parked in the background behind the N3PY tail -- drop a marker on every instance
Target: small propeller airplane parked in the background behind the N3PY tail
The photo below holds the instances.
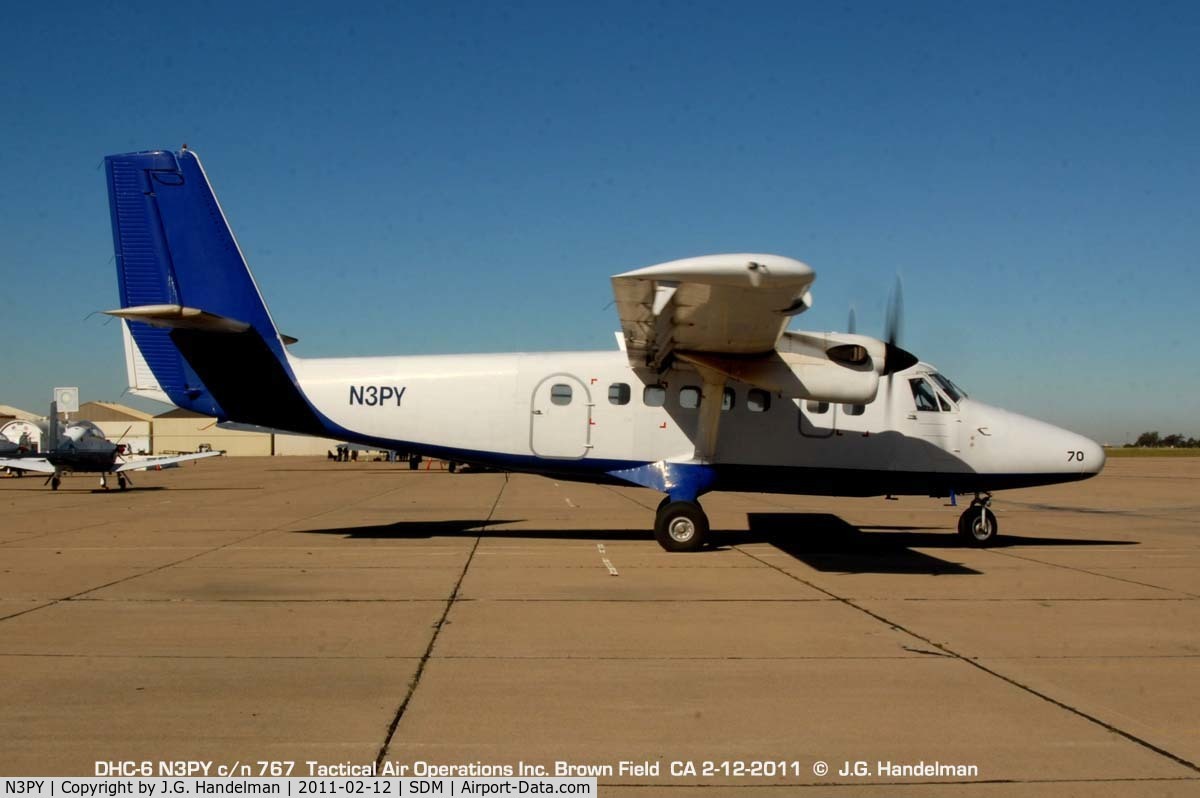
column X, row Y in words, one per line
column 82, row 448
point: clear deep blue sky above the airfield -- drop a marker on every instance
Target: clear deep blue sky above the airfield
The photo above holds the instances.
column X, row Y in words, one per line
column 434, row 178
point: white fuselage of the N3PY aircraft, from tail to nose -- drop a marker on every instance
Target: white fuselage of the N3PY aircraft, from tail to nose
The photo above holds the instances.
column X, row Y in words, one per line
column 567, row 412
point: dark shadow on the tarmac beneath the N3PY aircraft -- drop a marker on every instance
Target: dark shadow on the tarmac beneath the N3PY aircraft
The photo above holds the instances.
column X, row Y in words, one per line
column 821, row 541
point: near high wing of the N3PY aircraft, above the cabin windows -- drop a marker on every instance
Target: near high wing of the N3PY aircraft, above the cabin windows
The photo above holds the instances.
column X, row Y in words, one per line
column 721, row 304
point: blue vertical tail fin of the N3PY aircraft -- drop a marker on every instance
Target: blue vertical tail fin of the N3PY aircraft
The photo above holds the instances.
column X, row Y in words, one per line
column 193, row 307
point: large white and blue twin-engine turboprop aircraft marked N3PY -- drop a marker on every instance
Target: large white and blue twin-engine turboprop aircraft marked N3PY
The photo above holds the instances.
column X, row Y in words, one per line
column 709, row 391
